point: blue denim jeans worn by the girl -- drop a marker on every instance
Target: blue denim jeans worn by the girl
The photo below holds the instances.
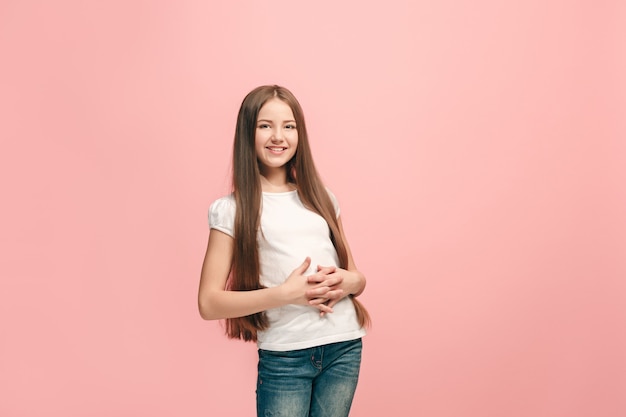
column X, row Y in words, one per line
column 314, row 382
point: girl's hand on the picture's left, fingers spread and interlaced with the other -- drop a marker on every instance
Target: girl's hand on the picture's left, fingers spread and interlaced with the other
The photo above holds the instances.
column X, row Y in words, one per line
column 298, row 290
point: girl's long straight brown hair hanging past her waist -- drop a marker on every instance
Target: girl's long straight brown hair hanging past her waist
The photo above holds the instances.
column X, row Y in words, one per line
column 247, row 191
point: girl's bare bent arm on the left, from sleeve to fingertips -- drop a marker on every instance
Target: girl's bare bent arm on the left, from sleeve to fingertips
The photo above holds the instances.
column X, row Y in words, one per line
column 215, row 302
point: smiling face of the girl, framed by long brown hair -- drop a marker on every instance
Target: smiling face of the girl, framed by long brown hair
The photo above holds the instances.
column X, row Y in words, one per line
column 276, row 135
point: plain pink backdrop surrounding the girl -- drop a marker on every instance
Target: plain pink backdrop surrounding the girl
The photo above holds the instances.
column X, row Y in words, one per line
column 477, row 148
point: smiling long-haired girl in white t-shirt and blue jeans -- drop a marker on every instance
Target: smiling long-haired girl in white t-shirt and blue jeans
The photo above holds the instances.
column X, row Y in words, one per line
column 278, row 267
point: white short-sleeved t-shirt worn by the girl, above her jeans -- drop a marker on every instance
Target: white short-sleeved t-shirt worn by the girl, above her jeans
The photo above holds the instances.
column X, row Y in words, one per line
column 289, row 233
